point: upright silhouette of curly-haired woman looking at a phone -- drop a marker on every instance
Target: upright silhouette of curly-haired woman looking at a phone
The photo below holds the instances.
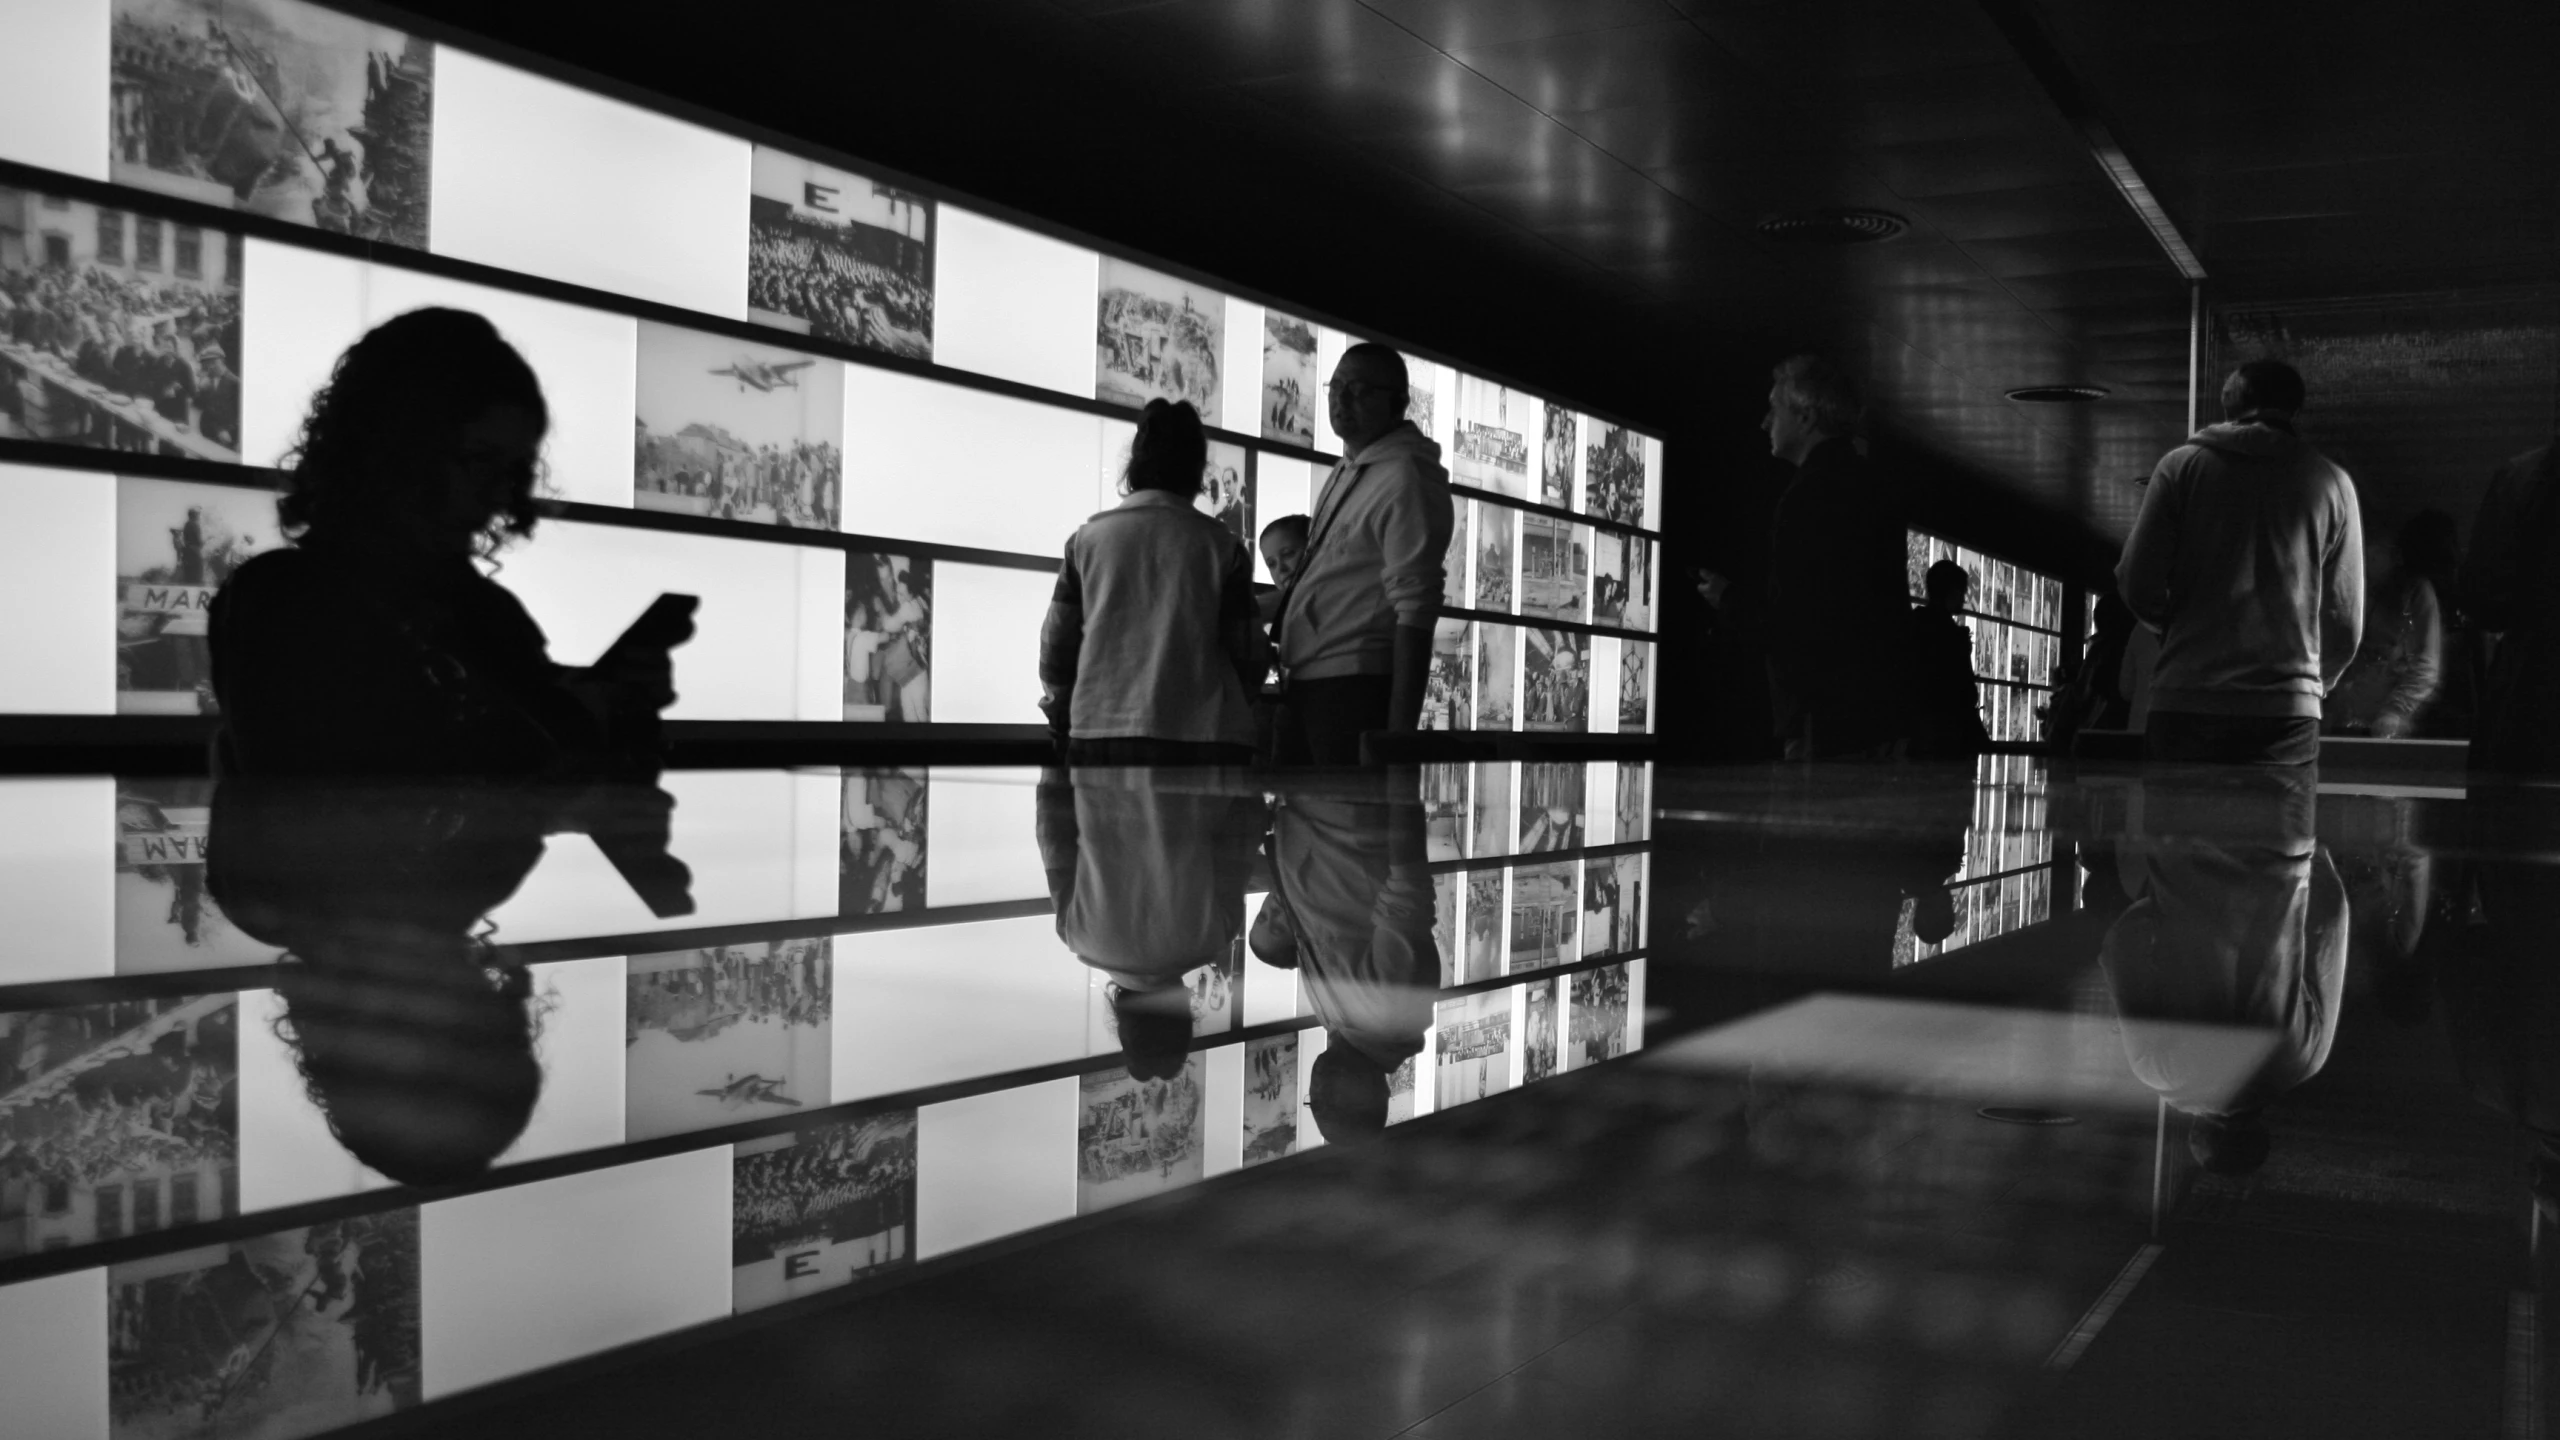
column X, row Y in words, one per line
column 375, row 644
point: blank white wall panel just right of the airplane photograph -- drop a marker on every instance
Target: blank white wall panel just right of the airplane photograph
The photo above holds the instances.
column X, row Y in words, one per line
column 964, row 468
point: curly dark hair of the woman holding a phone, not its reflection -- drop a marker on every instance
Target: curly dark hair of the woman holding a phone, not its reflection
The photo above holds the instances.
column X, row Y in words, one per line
column 390, row 421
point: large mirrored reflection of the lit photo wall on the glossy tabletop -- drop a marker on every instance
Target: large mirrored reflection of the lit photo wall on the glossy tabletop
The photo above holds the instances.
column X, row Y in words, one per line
column 723, row 1111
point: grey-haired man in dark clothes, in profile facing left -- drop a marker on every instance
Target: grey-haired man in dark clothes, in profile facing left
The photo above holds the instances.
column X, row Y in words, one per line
column 1837, row 591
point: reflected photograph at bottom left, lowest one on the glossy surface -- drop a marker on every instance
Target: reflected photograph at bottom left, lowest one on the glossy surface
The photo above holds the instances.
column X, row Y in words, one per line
column 268, row 1339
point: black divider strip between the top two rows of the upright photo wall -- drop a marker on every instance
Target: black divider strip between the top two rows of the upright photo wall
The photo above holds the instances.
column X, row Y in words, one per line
column 613, row 304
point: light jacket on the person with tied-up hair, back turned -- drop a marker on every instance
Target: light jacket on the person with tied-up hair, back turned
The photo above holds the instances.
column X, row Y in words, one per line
column 1153, row 629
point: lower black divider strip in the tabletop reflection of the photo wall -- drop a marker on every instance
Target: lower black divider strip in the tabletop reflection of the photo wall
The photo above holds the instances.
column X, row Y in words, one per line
column 631, row 1152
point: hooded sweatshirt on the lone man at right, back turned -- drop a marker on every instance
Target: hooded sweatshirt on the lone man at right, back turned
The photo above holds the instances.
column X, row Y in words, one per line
column 2249, row 562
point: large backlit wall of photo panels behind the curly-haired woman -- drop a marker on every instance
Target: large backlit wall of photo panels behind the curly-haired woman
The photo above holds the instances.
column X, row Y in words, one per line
column 841, row 357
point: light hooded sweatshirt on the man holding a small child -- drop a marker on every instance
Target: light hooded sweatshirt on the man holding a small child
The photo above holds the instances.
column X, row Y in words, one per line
column 1373, row 562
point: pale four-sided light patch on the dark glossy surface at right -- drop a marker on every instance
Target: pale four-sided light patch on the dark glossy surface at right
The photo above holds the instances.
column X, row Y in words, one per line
column 1965, row 1052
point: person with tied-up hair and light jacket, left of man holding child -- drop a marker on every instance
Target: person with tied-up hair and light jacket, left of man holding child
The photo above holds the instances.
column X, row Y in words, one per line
column 1153, row 644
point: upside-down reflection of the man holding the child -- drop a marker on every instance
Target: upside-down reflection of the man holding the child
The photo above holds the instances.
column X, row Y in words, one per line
column 1350, row 911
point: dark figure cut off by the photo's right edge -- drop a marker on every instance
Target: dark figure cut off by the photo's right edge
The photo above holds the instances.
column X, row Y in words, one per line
column 2513, row 591
